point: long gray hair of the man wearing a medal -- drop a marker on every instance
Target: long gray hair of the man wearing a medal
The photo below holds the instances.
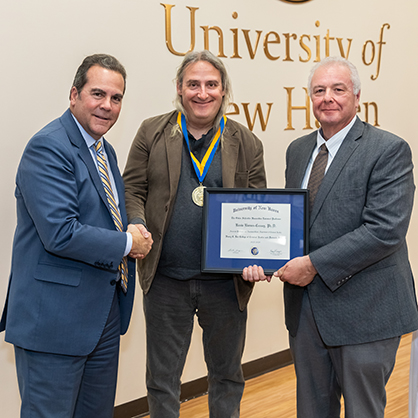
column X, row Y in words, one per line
column 196, row 56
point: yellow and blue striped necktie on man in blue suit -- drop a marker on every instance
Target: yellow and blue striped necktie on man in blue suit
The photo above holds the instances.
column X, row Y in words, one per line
column 104, row 176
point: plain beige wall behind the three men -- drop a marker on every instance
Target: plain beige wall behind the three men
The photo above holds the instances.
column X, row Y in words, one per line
column 43, row 42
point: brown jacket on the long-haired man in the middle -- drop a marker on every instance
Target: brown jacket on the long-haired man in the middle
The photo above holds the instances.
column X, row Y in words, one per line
column 152, row 174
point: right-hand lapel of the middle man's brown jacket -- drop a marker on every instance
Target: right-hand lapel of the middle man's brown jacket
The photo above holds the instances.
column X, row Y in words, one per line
column 229, row 152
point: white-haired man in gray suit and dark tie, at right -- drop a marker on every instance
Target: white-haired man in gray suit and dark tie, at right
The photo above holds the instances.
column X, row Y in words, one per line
column 351, row 298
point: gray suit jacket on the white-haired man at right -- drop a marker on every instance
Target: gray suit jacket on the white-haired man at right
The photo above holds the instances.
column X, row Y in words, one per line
column 364, row 289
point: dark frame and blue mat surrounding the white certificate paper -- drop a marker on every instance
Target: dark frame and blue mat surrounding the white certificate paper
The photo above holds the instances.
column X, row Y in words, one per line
column 215, row 197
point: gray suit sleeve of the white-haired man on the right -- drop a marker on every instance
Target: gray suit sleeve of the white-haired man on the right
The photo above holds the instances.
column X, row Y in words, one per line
column 383, row 221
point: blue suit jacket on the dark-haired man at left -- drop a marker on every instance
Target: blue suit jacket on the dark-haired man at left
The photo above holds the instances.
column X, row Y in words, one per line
column 66, row 250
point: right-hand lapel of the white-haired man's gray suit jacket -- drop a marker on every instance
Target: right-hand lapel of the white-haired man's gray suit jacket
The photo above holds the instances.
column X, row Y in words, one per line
column 347, row 148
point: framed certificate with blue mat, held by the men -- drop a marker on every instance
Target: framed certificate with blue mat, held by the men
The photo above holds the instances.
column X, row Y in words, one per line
column 242, row 227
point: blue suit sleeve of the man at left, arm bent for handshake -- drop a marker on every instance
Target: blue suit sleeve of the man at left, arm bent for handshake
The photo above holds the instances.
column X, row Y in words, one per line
column 59, row 199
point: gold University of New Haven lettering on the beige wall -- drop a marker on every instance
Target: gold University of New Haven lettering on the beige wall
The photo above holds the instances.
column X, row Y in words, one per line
column 286, row 47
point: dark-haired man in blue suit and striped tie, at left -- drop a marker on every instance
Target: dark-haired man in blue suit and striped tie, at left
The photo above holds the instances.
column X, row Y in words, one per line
column 72, row 285
